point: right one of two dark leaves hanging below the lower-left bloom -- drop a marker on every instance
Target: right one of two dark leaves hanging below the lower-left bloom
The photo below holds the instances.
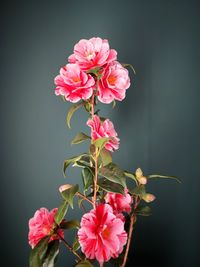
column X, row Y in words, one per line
column 52, row 254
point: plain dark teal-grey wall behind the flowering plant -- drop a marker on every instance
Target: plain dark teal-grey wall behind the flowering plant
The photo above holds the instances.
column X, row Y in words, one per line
column 158, row 122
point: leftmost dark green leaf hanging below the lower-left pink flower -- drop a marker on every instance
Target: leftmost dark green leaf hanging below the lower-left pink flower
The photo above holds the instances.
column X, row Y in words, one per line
column 38, row 252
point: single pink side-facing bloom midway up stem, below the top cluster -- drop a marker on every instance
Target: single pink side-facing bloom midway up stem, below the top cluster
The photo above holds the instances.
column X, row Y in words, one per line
column 104, row 129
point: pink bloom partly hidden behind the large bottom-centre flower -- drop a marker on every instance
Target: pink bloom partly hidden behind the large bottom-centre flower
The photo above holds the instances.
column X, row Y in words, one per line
column 119, row 202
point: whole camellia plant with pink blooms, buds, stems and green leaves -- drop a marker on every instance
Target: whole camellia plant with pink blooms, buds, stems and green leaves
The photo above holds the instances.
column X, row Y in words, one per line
column 104, row 232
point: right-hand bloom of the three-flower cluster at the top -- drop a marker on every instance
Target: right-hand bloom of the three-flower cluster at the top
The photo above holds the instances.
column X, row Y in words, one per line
column 113, row 84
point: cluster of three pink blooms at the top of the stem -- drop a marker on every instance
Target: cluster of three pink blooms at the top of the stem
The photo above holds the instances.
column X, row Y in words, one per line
column 76, row 80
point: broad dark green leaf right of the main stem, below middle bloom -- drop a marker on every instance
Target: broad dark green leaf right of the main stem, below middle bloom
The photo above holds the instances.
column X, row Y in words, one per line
column 113, row 173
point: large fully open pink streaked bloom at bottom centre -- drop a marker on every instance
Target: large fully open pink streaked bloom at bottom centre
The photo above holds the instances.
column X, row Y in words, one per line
column 102, row 234
